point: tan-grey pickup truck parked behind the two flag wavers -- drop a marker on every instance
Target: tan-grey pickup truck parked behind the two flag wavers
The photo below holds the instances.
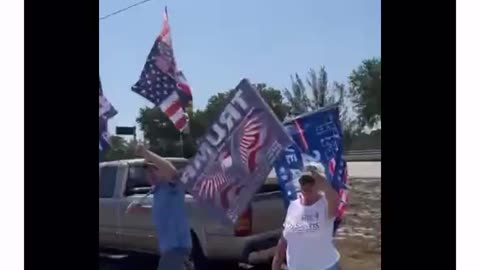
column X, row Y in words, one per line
column 251, row 240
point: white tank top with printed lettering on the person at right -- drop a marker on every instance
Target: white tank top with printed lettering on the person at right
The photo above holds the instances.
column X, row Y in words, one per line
column 309, row 235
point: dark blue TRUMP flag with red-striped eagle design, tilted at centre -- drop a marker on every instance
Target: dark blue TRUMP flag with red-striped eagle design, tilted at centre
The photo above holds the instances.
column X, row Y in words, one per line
column 236, row 155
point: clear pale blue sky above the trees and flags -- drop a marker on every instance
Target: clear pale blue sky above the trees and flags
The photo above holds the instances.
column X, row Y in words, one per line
column 218, row 42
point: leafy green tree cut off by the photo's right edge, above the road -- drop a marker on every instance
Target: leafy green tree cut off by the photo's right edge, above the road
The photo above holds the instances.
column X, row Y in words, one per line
column 365, row 91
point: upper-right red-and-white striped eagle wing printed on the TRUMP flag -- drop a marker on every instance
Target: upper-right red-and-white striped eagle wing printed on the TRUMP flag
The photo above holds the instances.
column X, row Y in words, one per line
column 250, row 141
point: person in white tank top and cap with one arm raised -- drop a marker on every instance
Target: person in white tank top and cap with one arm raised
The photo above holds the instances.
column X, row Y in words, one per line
column 307, row 240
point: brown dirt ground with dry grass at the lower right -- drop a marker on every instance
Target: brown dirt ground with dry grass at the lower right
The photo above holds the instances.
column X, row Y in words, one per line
column 359, row 239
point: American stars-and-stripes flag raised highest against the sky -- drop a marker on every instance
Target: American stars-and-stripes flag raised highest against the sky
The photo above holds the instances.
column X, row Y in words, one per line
column 162, row 83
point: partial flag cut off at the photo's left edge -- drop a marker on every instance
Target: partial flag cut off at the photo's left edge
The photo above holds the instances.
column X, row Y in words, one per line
column 106, row 111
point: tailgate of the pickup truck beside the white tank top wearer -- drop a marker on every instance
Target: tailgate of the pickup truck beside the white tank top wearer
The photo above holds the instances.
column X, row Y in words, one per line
column 268, row 212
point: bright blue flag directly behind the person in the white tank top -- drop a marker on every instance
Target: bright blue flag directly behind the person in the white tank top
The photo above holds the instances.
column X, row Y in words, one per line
column 318, row 138
